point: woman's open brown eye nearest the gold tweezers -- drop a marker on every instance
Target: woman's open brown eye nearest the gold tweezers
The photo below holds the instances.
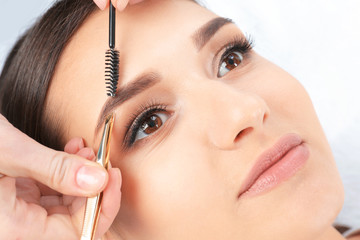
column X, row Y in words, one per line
column 150, row 124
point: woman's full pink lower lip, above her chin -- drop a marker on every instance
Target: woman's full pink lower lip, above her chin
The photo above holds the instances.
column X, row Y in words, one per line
column 287, row 167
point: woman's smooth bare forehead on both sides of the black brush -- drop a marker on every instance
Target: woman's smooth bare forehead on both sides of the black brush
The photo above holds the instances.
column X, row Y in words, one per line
column 143, row 32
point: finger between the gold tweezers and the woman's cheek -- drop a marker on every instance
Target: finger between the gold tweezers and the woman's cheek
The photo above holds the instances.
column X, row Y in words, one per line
column 111, row 202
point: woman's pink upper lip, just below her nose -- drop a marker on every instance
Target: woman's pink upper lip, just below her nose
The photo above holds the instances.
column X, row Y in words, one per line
column 269, row 157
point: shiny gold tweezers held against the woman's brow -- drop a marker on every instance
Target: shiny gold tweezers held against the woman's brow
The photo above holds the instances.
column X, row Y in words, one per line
column 93, row 204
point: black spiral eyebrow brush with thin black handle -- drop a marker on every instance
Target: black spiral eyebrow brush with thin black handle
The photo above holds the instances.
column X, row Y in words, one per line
column 111, row 57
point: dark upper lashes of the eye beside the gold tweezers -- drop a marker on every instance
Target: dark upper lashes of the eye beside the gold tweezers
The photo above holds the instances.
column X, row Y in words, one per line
column 144, row 111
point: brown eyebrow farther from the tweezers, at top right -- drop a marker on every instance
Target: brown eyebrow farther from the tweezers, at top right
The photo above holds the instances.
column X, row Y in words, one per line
column 208, row 30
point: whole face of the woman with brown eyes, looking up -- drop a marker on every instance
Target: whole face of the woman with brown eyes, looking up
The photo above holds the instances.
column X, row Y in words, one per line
column 195, row 111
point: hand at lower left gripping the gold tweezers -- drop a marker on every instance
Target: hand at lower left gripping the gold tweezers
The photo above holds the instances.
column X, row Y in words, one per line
column 39, row 188
